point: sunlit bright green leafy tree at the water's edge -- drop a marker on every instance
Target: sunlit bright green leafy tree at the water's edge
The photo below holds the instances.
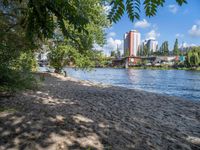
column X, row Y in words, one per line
column 79, row 51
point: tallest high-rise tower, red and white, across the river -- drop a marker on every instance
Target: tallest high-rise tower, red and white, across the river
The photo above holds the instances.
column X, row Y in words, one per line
column 132, row 43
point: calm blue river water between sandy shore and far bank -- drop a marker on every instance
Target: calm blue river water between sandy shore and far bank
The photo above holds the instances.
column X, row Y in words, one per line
column 180, row 83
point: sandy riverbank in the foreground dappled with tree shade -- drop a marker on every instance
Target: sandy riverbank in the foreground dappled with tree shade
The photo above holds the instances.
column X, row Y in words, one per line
column 66, row 113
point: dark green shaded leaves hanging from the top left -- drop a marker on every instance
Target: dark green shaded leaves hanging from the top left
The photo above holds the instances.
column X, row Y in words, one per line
column 39, row 18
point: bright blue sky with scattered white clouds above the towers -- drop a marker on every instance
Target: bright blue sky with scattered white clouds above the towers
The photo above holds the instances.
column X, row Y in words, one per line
column 171, row 22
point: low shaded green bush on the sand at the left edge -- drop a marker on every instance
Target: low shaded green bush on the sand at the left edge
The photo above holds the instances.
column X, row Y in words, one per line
column 17, row 74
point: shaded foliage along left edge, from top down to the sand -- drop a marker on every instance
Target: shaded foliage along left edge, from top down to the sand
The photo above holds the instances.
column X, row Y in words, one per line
column 16, row 55
